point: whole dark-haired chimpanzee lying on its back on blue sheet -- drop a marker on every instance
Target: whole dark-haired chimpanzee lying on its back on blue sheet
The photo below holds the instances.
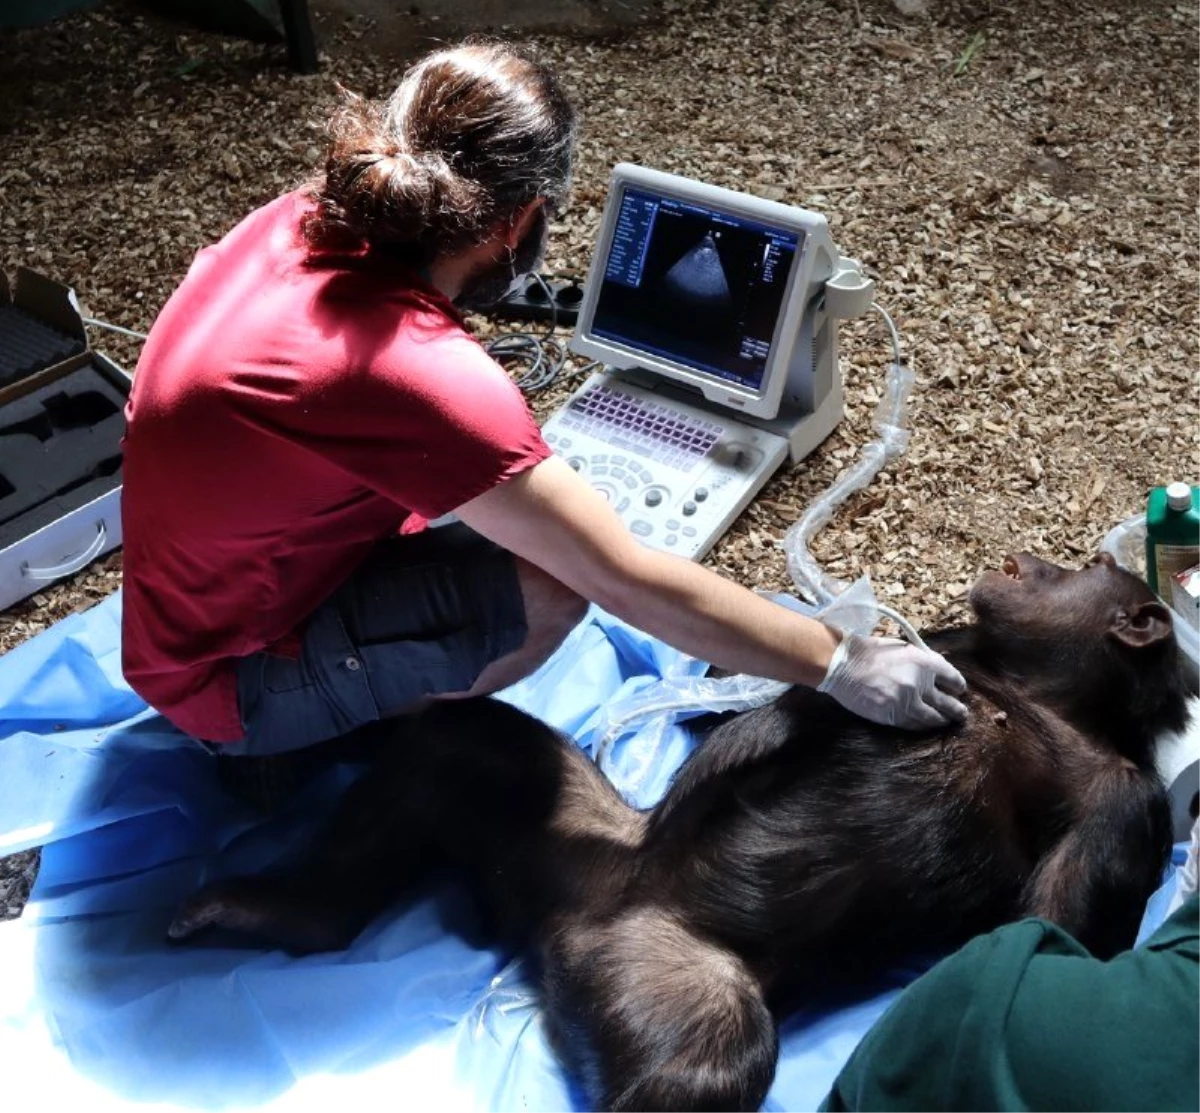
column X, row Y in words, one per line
column 797, row 840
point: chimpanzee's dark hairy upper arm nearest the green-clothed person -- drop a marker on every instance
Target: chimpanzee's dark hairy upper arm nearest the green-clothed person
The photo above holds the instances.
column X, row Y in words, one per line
column 1097, row 881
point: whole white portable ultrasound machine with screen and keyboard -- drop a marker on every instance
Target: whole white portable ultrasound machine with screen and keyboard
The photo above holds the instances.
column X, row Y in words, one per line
column 715, row 317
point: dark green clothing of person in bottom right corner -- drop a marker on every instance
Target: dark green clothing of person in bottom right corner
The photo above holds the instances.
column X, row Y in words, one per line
column 1025, row 1020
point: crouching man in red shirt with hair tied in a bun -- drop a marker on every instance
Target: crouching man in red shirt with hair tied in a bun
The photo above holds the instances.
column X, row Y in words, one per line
column 309, row 400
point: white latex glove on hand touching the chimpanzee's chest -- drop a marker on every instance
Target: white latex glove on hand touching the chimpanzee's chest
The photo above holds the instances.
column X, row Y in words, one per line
column 890, row 682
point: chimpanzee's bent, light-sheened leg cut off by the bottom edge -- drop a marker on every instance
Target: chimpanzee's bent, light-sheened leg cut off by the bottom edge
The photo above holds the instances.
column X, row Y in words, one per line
column 656, row 1019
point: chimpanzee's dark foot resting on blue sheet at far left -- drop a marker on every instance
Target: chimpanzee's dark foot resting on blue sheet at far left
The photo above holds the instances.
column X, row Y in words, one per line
column 260, row 909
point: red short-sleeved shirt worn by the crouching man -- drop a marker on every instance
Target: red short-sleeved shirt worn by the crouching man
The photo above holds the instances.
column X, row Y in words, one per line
column 290, row 411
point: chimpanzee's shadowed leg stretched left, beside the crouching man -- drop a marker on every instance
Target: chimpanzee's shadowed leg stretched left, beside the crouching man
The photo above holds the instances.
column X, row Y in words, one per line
column 470, row 784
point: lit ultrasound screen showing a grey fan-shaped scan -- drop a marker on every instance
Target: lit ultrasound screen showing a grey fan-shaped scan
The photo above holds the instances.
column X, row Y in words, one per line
column 694, row 286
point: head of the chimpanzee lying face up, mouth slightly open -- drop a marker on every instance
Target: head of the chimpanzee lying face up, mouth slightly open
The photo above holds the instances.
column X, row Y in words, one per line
column 1095, row 643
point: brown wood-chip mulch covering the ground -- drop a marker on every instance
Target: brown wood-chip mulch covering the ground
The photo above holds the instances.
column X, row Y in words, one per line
column 1022, row 179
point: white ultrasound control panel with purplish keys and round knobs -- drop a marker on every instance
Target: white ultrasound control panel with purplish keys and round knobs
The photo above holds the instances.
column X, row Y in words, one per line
column 679, row 476
